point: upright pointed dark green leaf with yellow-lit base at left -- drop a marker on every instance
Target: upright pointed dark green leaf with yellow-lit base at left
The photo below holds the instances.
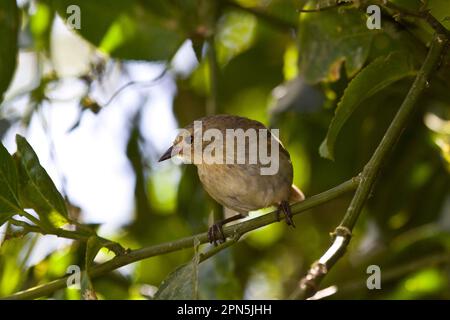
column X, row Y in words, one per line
column 36, row 189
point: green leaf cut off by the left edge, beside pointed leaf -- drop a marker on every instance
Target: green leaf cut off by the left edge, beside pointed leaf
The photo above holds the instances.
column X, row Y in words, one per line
column 9, row 186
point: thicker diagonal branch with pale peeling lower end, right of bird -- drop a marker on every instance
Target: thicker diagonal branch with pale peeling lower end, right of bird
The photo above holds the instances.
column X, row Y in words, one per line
column 342, row 235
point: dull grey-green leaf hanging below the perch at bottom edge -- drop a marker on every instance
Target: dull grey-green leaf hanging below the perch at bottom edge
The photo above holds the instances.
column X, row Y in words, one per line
column 181, row 284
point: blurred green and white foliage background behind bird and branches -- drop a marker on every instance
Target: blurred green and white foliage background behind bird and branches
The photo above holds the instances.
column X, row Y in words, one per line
column 102, row 103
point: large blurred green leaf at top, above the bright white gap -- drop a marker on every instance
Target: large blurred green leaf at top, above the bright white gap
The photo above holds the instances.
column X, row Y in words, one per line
column 128, row 29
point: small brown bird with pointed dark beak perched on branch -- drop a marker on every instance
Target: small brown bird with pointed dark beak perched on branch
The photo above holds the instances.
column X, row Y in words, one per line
column 241, row 164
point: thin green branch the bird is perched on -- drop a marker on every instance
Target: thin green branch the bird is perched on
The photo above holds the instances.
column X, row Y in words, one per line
column 235, row 231
